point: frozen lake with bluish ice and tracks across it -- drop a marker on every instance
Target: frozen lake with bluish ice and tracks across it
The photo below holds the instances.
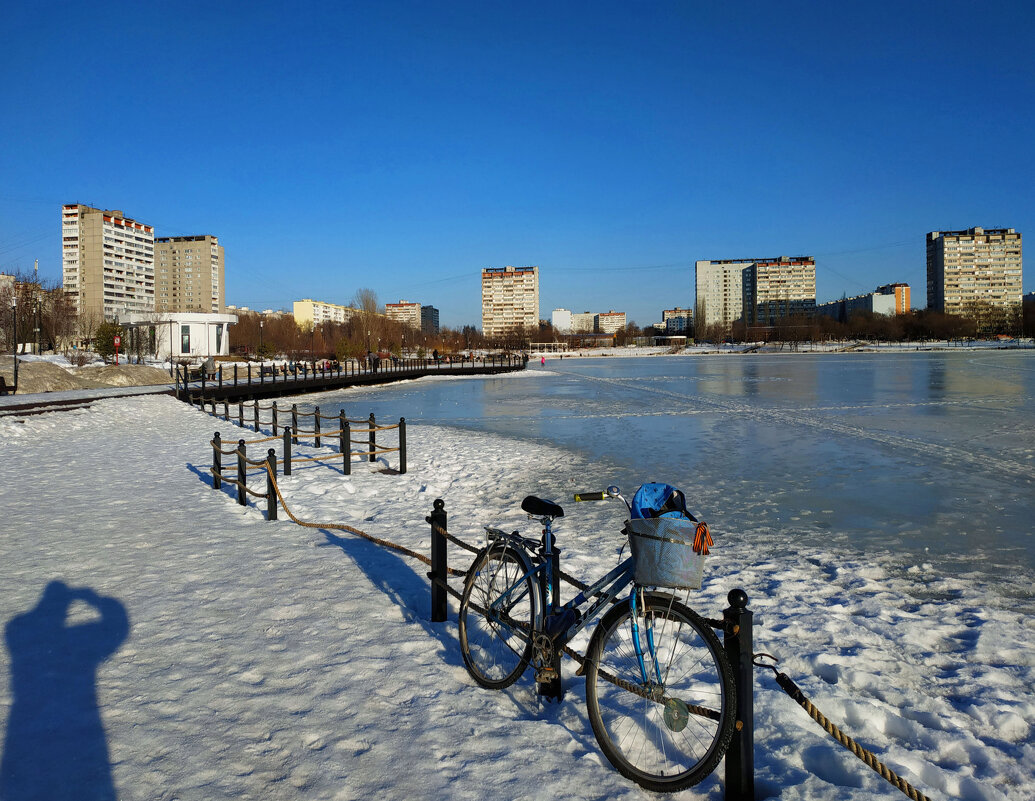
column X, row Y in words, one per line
column 924, row 458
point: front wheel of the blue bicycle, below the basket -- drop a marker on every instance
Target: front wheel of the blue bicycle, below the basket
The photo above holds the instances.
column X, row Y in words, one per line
column 665, row 725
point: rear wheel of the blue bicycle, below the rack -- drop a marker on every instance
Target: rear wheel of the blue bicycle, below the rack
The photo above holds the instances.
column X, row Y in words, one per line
column 497, row 646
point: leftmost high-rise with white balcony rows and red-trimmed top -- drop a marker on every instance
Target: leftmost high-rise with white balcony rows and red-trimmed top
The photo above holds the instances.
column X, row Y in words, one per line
column 107, row 262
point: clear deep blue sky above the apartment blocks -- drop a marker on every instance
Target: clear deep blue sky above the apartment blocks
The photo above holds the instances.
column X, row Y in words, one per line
column 404, row 146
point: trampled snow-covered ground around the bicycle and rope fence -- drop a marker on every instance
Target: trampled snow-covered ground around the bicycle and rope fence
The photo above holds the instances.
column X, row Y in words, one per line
column 268, row 661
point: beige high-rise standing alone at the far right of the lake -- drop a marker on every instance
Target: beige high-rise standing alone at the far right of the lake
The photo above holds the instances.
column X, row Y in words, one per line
column 974, row 271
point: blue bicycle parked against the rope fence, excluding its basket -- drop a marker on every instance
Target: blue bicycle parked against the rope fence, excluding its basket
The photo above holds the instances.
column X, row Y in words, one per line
column 660, row 689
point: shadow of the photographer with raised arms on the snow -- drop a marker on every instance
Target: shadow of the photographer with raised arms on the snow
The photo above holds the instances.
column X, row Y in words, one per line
column 55, row 747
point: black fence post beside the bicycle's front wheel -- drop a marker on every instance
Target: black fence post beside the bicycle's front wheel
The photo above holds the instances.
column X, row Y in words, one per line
column 738, row 645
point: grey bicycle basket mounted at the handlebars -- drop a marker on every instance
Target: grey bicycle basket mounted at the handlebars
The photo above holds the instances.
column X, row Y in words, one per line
column 663, row 549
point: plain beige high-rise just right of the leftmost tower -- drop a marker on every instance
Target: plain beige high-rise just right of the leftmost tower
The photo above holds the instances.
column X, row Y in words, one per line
column 190, row 275
